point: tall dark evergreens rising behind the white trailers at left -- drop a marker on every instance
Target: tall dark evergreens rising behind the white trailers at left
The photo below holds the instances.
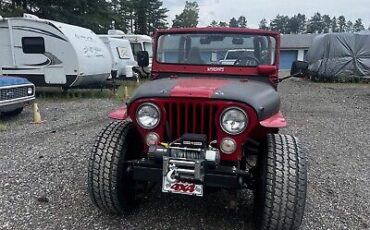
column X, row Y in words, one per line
column 135, row 16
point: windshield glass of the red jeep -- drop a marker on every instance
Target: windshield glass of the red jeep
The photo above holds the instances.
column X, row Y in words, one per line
column 216, row 49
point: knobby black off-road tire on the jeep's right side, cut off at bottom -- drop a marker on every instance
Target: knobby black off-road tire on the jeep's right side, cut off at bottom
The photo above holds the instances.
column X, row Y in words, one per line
column 280, row 194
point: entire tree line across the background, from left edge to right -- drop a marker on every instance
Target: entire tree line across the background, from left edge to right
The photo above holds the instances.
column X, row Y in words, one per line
column 146, row 16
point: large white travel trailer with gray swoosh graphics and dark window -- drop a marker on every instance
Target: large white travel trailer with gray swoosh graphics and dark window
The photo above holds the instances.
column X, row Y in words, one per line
column 50, row 53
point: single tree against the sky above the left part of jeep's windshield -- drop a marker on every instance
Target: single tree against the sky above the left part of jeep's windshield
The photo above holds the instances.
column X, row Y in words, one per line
column 189, row 16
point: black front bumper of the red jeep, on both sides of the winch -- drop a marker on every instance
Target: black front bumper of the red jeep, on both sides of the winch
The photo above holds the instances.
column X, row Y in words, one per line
column 224, row 177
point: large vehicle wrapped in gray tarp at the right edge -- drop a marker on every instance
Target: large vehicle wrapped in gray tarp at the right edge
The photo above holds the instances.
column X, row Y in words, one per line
column 340, row 55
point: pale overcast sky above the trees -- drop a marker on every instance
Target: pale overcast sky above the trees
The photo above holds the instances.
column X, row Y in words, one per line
column 255, row 10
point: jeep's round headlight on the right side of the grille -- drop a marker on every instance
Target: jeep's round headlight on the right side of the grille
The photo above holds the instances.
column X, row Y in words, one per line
column 233, row 120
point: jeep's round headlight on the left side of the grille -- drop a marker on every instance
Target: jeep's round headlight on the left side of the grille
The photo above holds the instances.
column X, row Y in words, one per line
column 148, row 115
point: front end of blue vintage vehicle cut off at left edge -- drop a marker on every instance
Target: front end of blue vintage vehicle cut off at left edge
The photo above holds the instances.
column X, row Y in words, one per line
column 15, row 92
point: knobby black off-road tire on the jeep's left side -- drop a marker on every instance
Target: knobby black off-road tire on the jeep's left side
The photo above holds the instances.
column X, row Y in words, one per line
column 110, row 184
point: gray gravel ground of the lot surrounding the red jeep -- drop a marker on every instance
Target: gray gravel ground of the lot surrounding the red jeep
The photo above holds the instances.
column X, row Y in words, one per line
column 43, row 168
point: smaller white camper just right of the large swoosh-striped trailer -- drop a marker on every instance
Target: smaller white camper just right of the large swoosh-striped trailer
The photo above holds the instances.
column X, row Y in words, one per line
column 122, row 57
